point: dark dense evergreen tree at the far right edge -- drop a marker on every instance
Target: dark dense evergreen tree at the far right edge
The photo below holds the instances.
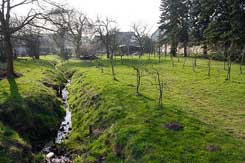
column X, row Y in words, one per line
column 227, row 26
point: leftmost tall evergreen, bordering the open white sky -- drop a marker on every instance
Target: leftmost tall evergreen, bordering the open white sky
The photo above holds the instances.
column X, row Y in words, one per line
column 174, row 22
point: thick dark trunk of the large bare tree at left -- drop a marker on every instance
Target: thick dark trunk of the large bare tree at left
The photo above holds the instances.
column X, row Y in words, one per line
column 9, row 53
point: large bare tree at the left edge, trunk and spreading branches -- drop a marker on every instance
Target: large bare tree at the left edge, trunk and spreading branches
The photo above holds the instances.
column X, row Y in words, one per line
column 10, row 24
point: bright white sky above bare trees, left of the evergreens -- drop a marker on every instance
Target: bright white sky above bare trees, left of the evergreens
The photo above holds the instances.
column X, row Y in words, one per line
column 125, row 12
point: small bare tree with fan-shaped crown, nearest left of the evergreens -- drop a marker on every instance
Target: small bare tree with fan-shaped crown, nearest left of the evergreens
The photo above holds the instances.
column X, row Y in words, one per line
column 139, row 34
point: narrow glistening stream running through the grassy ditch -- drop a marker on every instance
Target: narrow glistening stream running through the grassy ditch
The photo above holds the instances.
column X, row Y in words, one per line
column 52, row 153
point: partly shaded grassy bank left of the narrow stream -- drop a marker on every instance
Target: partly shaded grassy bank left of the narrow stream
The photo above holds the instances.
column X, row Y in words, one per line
column 30, row 108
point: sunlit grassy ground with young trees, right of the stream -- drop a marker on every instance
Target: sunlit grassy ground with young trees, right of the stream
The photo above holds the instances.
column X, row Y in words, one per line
column 130, row 127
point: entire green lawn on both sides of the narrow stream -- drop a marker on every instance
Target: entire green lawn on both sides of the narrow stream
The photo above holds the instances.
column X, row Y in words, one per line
column 113, row 124
